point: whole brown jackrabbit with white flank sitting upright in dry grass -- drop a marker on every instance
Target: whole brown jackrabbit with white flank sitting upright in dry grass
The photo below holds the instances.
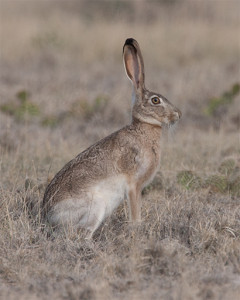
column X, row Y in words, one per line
column 92, row 185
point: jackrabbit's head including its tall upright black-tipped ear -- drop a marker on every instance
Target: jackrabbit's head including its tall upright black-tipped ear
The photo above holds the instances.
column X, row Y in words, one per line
column 148, row 107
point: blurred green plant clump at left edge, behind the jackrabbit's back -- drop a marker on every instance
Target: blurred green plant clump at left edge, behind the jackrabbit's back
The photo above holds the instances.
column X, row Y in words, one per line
column 23, row 109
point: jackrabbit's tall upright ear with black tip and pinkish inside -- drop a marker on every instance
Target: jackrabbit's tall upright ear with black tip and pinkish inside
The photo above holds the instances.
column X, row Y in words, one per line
column 133, row 62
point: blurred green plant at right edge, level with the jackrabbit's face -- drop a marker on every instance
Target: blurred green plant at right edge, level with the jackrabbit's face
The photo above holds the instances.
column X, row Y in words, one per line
column 215, row 103
